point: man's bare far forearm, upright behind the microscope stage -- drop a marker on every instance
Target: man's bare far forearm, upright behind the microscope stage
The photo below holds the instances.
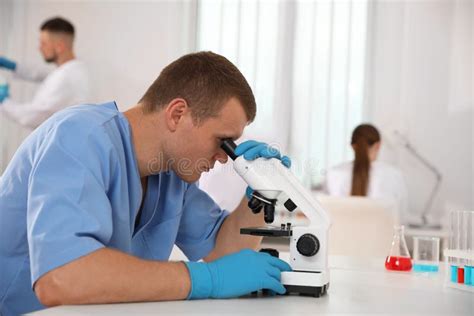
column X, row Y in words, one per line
column 229, row 239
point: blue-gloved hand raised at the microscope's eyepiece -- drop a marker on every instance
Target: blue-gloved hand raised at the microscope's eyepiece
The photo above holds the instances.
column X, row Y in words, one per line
column 252, row 149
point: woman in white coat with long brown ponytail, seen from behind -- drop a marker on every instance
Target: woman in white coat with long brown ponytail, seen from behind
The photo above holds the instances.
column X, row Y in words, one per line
column 365, row 176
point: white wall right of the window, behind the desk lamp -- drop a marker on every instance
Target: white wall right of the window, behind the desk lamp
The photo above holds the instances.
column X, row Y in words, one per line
column 422, row 85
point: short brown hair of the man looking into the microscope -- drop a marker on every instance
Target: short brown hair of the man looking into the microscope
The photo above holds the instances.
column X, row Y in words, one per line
column 206, row 81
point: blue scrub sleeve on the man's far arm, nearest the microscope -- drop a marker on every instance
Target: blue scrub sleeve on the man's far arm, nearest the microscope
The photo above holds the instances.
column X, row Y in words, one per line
column 200, row 223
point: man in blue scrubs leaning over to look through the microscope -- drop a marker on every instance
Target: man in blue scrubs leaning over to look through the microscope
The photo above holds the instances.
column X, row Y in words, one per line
column 94, row 200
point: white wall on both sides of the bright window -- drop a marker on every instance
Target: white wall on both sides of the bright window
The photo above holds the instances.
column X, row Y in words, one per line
column 420, row 62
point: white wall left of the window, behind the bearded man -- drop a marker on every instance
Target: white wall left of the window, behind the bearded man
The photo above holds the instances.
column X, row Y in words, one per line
column 125, row 43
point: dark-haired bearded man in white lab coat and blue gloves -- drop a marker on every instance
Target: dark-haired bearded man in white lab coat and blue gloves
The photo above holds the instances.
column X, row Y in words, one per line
column 67, row 85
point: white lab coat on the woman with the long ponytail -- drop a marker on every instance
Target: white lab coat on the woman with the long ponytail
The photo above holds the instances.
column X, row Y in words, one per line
column 386, row 183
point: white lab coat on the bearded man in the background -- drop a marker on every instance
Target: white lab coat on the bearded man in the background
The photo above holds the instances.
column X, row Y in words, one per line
column 67, row 85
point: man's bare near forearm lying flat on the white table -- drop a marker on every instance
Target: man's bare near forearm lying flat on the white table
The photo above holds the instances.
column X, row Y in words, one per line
column 109, row 276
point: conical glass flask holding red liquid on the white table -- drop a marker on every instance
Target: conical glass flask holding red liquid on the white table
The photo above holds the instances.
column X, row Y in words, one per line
column 399, row 258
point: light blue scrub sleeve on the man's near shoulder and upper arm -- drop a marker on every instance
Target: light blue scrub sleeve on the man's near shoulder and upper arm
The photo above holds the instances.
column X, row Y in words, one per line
column 69, row 214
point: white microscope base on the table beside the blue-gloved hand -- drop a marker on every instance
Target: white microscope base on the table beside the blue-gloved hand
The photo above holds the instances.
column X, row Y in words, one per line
column 306, row 283
